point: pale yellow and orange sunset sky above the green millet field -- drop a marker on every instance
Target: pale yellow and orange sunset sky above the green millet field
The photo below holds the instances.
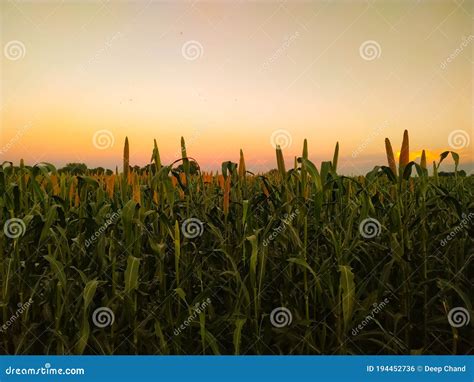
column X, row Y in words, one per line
column 77, row 77
